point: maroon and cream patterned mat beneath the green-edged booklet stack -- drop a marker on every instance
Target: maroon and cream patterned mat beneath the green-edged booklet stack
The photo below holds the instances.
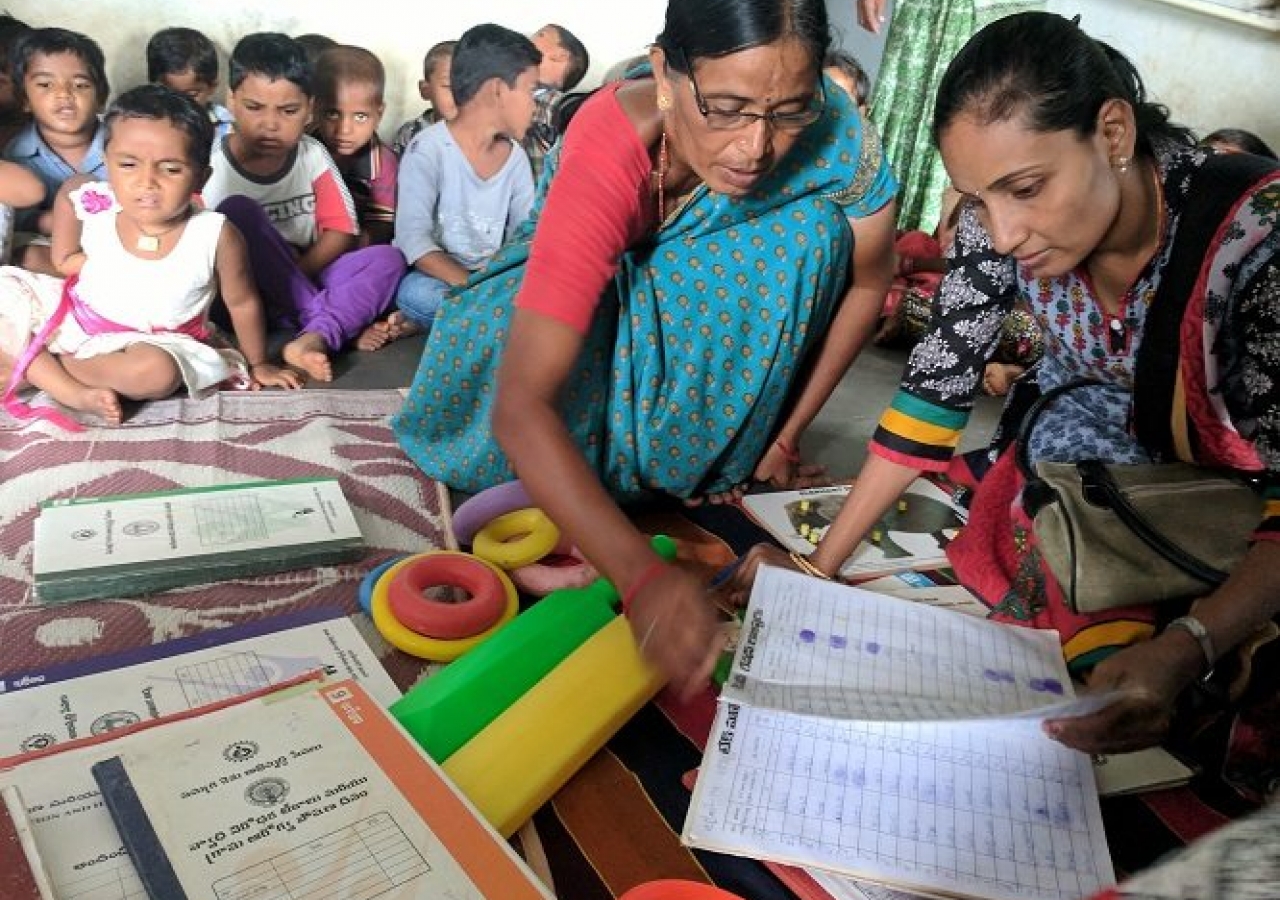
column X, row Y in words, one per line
column 223, row 440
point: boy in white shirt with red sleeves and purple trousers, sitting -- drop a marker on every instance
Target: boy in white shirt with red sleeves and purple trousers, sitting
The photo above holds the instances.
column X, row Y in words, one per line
column 284, row 191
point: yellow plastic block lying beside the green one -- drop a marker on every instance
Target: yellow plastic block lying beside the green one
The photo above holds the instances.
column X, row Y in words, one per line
column 527, row 755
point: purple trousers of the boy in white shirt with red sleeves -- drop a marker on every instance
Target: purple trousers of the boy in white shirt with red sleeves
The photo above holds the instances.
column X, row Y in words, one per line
column 354, row 291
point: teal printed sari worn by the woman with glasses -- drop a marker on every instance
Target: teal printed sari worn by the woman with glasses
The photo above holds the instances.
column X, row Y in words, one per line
column 696, row 345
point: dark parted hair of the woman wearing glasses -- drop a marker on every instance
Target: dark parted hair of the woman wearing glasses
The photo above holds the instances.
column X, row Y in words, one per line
column 708, row 29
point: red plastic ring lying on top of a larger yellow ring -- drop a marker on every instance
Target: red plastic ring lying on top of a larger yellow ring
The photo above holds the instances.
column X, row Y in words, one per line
column 441, row 619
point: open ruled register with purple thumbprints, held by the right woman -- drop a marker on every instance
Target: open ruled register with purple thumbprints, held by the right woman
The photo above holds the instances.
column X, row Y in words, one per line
column 900, row 744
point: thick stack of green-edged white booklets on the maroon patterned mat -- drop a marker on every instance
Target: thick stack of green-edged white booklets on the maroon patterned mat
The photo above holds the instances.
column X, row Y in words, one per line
column 134, row 545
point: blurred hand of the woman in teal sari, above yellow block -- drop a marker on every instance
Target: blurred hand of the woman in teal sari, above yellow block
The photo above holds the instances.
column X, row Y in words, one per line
column 675, row 629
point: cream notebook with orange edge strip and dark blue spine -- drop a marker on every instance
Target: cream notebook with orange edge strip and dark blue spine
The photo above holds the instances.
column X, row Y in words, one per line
column 316, row 792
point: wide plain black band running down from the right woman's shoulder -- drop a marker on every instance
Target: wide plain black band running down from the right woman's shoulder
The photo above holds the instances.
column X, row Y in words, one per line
column 1215, row 191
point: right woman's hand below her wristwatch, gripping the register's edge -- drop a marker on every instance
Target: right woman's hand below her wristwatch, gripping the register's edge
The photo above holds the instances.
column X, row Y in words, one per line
column 1150, row 677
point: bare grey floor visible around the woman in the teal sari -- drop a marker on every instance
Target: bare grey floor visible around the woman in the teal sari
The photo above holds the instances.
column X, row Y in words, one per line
column 836, row 440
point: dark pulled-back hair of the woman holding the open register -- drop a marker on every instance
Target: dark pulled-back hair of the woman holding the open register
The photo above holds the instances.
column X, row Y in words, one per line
column 1045, row 70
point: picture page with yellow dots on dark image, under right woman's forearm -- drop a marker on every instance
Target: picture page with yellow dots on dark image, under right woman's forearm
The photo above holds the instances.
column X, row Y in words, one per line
column 915, row 534
